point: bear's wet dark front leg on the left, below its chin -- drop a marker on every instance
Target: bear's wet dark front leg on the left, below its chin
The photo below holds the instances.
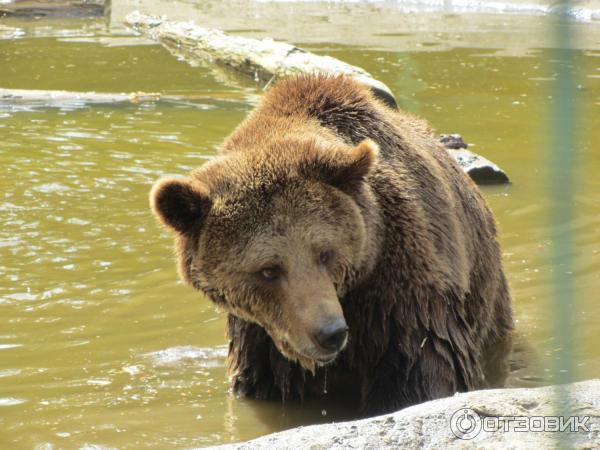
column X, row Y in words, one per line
column 257, row 368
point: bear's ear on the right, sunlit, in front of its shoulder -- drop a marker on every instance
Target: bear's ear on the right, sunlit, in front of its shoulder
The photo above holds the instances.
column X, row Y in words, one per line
column 346, row 167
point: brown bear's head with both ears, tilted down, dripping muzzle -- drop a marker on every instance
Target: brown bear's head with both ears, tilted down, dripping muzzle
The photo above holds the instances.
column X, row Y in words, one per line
column 276, row 236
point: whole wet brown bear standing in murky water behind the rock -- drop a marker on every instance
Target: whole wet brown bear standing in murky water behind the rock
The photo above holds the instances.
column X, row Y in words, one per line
column 339, row 235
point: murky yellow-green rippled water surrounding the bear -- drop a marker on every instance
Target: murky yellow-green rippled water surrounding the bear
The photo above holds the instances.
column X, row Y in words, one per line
column 99, row 342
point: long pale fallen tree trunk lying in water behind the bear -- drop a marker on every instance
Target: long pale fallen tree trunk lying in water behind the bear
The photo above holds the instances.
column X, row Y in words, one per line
column 264, row 60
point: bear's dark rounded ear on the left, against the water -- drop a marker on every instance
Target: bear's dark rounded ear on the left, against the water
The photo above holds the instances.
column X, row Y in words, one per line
column 178, row 204
